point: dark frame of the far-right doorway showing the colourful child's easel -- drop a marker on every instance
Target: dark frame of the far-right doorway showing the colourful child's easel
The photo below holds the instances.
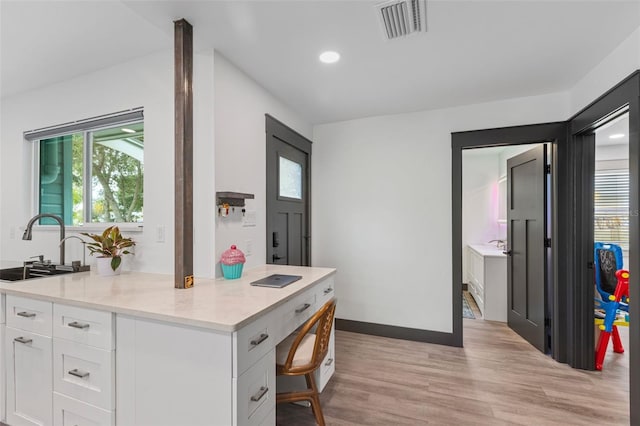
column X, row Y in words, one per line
column 625, row 94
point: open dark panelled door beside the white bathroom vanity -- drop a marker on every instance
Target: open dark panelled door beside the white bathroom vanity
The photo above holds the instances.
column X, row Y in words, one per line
column 526, row 263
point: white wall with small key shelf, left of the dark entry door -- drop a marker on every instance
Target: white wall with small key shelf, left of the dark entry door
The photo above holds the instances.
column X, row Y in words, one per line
column 240, row 145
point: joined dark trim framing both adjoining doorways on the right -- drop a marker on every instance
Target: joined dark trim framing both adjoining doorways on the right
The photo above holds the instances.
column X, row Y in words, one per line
column 572, row 325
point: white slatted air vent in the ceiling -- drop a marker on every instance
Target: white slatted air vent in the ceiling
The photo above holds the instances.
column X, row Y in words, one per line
column 402, row 17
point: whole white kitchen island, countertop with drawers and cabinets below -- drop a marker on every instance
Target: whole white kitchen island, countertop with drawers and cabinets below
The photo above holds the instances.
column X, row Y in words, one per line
column 146, row 353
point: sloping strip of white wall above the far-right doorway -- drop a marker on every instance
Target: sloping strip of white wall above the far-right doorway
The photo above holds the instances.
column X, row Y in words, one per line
column 619, row 64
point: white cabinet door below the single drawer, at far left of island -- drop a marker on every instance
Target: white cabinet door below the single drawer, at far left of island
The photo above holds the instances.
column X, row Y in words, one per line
column 29, row 383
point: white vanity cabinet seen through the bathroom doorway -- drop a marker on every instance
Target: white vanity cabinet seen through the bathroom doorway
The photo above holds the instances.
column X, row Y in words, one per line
column 487, row 280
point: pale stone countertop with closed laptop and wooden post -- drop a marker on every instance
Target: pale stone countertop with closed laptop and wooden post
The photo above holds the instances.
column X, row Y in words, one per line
column 224, row 305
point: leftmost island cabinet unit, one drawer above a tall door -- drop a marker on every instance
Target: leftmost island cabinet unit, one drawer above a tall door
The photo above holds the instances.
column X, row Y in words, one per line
column 28, row 346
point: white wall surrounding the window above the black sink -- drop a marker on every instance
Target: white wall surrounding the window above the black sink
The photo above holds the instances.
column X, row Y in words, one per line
column 146, row 82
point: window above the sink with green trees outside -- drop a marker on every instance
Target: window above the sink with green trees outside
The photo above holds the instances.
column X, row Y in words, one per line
column 92, row 171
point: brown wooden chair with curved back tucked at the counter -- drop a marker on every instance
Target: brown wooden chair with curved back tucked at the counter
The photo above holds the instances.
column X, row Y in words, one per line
column 302, row 353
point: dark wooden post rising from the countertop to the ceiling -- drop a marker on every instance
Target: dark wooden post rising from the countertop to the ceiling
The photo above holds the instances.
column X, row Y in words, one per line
column 183, row 53
